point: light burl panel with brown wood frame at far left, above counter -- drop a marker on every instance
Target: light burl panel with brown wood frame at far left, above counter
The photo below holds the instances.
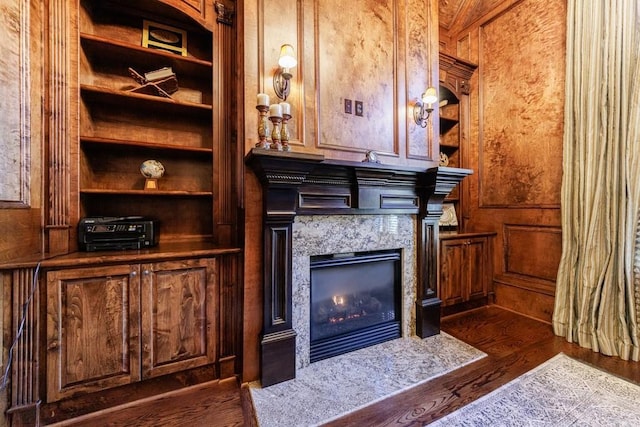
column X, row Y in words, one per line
column 21, row 62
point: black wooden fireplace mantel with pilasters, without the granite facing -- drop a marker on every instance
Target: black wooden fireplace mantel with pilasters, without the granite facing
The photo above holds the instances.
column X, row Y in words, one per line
column 309, row 184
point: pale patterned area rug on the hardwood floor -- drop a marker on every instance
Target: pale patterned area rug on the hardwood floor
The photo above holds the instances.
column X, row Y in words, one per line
column 560, row 392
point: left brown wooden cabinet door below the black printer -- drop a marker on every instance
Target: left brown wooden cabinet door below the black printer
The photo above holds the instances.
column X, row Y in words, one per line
column 92, row 324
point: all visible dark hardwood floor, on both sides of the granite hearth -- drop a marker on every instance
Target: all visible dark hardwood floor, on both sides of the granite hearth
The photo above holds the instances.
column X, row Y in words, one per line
column 514, row 345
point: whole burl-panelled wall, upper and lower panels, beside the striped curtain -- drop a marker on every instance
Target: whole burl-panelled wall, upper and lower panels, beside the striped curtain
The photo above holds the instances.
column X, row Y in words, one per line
column 515, row 144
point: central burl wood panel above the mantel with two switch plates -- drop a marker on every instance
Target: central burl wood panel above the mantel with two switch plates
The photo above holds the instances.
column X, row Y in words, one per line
column 355, row 53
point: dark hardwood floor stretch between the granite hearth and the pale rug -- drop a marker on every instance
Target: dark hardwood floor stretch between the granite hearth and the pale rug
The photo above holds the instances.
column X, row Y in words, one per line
column 514, row 345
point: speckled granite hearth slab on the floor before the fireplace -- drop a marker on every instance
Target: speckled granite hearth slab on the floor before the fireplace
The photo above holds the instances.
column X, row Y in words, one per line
column 331, row 388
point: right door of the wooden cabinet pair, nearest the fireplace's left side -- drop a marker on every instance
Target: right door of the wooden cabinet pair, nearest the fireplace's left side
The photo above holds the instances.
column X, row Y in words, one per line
column 179, row 328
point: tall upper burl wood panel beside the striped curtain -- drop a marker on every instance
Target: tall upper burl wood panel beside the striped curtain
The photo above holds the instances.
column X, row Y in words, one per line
column 521, row 96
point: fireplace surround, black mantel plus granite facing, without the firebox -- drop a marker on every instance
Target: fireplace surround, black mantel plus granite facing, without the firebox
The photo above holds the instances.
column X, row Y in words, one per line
column 302, row 191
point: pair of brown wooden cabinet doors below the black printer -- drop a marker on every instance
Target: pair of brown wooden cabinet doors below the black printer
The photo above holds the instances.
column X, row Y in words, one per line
column 114, row 325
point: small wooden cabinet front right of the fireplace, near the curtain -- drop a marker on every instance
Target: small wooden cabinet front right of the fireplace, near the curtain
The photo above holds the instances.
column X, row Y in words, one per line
column 465, row 270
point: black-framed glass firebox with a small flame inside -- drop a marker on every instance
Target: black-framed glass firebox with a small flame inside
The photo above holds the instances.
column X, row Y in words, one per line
column 355, row 301
